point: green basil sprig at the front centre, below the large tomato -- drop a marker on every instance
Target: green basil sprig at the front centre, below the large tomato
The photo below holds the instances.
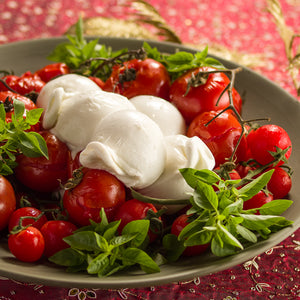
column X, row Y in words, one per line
column 99, row 249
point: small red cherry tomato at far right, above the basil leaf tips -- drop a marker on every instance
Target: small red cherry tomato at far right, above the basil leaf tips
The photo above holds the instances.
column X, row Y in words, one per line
column 280, row 183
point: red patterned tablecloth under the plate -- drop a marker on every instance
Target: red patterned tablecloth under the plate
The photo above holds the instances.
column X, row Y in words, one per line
column 244, row 27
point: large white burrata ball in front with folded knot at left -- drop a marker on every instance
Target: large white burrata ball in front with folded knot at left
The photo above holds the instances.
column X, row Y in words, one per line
column 129, row 145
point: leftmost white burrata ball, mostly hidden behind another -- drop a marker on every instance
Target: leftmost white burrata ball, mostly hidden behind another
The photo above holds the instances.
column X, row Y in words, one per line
column 70, row 83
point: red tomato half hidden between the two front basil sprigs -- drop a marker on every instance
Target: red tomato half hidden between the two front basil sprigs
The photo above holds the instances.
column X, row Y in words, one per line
column 134, row 209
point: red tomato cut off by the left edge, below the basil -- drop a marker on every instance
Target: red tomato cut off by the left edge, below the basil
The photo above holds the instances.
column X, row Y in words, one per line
column 7, row 201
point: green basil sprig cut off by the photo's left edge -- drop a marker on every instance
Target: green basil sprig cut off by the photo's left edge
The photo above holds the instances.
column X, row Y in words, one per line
column 14, row 139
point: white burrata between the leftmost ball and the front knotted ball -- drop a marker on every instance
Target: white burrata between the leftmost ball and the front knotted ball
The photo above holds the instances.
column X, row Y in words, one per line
column 75, row 118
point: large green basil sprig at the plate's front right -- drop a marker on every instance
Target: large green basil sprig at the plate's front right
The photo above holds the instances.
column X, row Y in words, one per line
column 217, row 215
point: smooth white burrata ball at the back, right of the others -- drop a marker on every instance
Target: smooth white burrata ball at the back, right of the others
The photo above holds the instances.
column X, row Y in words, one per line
column 164, row 113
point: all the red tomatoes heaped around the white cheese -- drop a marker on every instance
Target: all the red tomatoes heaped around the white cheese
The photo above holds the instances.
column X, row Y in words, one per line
column 33, row 232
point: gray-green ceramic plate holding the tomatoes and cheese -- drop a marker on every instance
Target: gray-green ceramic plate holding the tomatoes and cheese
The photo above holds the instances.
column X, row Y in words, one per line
column 263, row 98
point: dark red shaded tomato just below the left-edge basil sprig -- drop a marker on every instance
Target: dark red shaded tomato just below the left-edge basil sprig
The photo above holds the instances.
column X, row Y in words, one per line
column 42, row 174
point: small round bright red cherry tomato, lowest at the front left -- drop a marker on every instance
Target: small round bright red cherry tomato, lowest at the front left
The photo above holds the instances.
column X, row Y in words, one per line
column 28, row 245
